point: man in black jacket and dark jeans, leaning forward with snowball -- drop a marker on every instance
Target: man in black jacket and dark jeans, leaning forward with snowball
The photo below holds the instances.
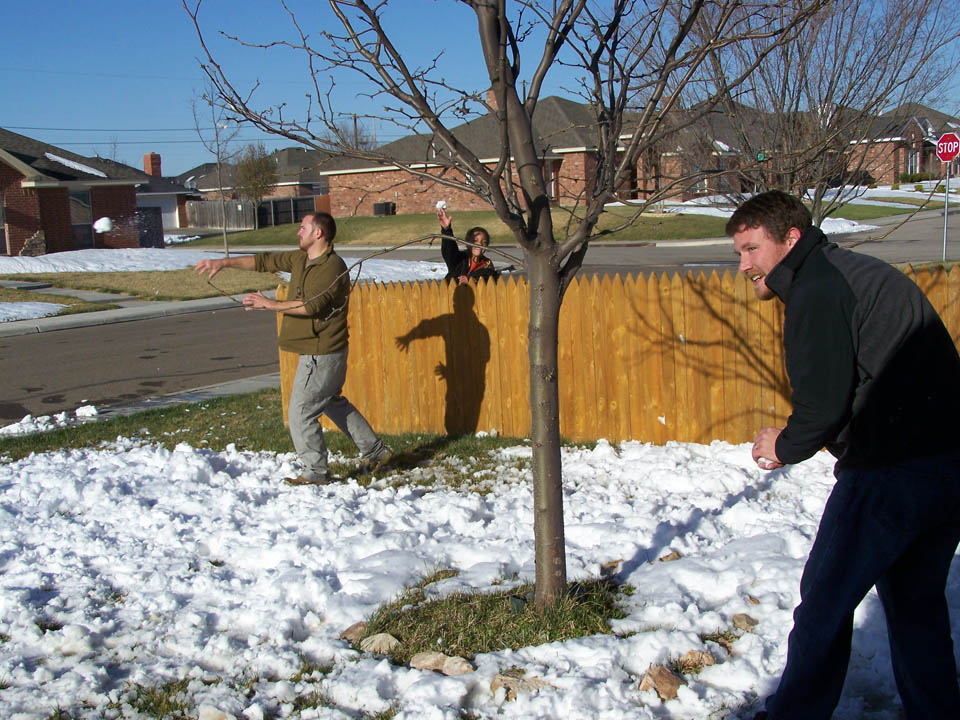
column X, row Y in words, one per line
column 875, row 379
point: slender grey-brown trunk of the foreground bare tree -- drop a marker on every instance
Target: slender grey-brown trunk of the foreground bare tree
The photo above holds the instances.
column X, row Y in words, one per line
column 542, row 338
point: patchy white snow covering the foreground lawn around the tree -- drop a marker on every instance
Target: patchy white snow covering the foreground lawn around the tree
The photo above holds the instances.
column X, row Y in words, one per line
column 132, row 564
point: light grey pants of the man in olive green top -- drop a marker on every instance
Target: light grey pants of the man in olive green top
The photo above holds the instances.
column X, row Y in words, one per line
column 316, row 391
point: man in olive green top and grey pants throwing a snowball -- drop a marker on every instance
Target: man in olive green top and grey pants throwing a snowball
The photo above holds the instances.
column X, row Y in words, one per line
column 314, row 326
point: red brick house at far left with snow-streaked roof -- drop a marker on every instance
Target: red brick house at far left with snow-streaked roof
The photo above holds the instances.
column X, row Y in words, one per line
column 53, row 195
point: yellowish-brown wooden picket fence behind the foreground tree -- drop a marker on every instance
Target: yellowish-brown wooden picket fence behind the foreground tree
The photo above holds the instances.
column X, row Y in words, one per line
column 654, row 358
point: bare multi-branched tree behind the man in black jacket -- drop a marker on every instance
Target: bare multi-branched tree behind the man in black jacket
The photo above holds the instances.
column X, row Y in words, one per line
column 810, row 112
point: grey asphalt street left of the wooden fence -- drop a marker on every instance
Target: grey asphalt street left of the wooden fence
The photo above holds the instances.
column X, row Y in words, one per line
column 45, row 373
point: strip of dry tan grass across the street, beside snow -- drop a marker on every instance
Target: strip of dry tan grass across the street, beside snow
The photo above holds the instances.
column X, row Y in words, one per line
column 182, row 284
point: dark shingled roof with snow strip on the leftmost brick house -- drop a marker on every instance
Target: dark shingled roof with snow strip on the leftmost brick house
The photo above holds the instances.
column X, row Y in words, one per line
column 43, row 164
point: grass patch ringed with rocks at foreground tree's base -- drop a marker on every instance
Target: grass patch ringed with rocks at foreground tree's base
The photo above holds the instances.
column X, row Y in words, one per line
column 466, row 624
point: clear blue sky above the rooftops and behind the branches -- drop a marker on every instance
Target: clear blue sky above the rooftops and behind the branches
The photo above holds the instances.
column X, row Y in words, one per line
column 116, row 77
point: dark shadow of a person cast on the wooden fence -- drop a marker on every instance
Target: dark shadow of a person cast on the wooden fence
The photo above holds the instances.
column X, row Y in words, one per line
column 467, row 352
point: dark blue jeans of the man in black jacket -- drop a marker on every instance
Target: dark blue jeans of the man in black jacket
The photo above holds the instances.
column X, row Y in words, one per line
column 896, row 528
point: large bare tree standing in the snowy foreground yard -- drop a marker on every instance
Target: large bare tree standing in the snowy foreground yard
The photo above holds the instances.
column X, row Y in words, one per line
column 635, row 61
